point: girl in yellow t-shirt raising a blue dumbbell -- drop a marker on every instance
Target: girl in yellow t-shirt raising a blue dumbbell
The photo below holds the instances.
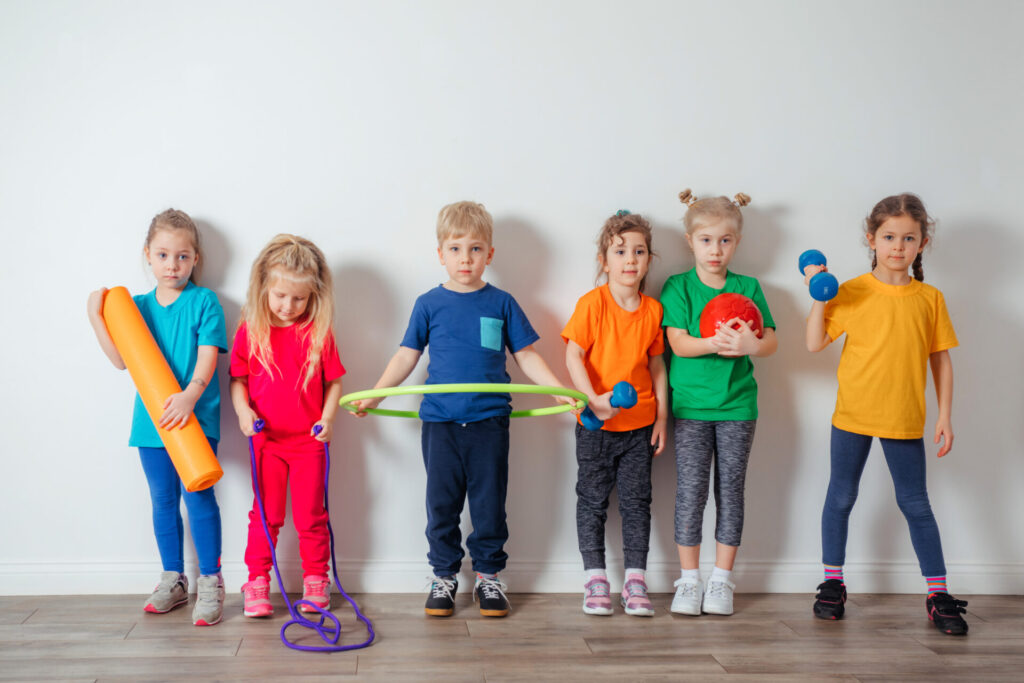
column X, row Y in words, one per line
column 895, row 326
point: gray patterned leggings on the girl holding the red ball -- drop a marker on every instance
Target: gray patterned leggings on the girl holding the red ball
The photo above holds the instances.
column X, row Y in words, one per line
column 699, row 444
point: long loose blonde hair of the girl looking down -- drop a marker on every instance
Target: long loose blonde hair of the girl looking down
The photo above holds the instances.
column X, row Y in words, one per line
column 300, row 261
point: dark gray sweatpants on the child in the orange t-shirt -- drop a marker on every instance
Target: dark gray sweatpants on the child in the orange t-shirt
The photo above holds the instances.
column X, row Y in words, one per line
column 607, row 460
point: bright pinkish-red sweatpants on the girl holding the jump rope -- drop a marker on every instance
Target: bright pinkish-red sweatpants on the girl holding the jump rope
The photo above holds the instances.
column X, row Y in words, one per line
column 278, row 467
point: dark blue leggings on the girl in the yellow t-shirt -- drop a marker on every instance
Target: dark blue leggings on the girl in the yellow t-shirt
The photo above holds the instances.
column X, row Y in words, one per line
column 907, row 465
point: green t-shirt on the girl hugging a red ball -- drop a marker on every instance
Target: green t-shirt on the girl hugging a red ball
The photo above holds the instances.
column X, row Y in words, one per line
column 710, row 388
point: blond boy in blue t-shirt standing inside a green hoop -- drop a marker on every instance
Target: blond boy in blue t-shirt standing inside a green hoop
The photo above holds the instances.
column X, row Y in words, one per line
column 468, row 324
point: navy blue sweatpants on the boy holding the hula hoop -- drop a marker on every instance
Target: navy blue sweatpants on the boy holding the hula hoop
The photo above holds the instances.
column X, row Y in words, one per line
column 463, row 461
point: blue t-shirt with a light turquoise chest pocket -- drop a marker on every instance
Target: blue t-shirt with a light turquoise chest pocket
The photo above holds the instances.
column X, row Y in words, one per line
column 468, row 333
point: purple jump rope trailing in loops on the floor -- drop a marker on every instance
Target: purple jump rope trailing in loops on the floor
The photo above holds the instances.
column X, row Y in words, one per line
column 329, row 633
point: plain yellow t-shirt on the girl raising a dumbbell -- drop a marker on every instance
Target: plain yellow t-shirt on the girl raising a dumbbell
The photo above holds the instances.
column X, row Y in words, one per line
column 890, row 333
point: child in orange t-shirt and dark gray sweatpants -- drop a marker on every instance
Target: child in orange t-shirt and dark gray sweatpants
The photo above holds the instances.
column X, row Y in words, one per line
column 615, row 335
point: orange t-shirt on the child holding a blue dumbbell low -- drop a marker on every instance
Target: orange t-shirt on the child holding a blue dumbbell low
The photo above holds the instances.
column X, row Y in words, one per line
column 618, row 346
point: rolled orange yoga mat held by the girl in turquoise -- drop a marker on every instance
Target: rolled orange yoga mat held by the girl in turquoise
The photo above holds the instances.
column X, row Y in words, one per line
column 188, row 447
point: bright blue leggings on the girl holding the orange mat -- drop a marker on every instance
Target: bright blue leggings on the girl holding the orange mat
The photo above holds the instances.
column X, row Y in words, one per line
column 166, row 492
